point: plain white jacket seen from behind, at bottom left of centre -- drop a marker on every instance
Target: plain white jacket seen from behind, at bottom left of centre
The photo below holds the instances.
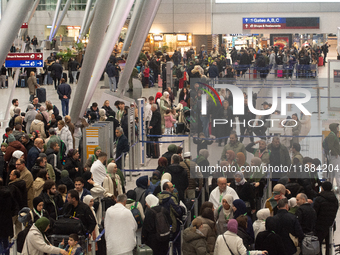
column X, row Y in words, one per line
column 120, row 230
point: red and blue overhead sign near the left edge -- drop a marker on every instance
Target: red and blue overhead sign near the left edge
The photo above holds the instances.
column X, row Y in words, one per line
column 24, row 60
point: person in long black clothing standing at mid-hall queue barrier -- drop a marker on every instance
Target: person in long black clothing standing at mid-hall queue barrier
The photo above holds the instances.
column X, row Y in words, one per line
column 155, row 129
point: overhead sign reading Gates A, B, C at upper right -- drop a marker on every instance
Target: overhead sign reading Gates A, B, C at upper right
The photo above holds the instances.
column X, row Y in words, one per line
column 281, row 23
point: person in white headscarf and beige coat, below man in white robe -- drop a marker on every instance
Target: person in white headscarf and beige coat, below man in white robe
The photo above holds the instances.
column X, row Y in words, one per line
column 224, row 213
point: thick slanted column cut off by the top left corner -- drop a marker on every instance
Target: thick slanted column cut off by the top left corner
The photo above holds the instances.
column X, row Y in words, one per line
column 10, row 24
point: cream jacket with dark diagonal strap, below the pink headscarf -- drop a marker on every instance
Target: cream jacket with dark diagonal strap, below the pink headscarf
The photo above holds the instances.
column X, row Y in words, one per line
column 235, row 244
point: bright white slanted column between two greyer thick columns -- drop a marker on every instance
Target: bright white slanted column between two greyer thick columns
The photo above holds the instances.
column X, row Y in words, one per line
column 121, row 12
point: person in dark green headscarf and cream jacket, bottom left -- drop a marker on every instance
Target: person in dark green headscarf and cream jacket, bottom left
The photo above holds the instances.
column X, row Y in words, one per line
column 36, row 241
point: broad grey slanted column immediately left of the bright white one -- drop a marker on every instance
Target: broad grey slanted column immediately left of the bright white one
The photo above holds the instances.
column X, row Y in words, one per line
column 100, row 23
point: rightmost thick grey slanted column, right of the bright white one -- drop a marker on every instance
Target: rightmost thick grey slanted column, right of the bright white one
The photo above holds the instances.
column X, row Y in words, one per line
column 148, row 14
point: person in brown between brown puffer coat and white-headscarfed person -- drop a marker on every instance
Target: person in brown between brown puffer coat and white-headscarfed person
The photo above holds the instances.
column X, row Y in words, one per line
column 208, row 230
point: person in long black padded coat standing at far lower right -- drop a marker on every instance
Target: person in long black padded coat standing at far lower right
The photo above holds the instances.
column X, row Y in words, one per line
column 326, row 206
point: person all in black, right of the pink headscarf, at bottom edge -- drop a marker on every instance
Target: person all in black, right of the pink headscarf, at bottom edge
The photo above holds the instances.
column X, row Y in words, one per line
column 269, row 240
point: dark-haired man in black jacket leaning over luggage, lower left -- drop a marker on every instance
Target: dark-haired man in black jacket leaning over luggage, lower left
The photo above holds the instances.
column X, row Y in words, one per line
column 78, row 209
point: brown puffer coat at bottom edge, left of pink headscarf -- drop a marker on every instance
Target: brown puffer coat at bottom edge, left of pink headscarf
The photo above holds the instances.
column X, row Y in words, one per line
column 194, row 242
